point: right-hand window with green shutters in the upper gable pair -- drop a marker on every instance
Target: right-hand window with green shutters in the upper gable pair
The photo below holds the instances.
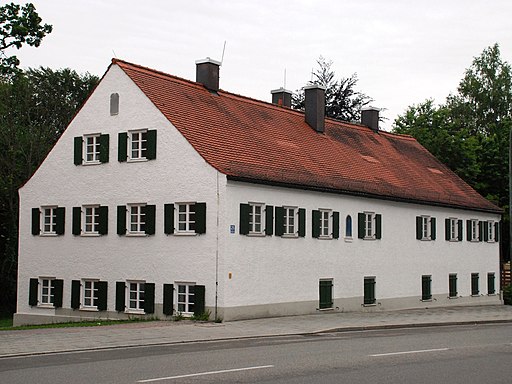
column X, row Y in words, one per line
column 137, row 145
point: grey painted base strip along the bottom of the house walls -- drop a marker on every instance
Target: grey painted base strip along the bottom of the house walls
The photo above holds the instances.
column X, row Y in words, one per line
column 60, row 315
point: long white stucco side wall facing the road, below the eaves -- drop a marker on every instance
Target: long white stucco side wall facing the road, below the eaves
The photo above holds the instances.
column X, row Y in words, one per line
column 282, row 270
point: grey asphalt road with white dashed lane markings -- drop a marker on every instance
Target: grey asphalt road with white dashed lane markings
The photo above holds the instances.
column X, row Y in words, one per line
column 462, row 354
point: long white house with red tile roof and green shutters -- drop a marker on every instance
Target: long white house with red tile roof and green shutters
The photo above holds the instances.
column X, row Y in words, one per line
column 165, row 195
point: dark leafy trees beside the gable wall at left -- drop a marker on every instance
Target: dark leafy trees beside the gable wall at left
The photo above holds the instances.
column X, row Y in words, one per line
column 35, row 108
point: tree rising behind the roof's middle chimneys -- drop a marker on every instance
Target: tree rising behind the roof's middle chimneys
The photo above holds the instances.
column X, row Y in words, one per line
column 342, row 101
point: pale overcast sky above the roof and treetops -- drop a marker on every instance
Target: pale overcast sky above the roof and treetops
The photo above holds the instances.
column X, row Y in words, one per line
column 403, row 51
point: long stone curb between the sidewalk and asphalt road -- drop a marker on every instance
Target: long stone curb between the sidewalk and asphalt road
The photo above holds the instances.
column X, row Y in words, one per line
column 329, row 330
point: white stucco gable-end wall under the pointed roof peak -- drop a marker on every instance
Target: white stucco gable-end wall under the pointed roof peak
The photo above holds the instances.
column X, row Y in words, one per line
column 178, row 174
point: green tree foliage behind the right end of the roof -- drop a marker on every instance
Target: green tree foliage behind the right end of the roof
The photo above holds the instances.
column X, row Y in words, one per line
column 470, row 131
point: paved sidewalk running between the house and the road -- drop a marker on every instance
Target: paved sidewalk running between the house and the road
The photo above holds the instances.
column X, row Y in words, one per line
column 51, row 340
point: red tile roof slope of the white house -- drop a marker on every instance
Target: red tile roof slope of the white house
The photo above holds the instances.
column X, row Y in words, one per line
column 251, row 140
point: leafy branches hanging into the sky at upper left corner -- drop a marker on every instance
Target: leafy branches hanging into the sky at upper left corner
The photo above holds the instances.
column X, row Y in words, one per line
column 19, row 25
